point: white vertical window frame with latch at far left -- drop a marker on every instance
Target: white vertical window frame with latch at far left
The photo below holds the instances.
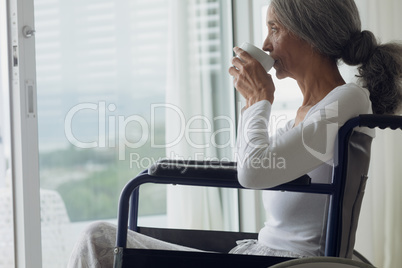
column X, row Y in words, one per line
column 24, row 135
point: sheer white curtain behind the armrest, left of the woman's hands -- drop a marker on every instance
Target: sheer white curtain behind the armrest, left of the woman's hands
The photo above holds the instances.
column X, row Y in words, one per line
column 196, row 128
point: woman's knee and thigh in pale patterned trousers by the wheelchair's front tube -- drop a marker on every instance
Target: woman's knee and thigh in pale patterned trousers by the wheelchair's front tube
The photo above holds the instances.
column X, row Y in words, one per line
column 95, row 246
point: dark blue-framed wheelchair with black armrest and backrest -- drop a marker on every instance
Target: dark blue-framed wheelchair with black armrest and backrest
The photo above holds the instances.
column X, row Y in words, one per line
column 346, row 193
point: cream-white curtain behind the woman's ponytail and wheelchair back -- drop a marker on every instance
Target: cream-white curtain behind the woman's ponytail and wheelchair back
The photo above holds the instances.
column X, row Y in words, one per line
column 379, row 234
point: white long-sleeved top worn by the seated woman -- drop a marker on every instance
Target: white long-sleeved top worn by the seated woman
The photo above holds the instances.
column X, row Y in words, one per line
column 296, row 221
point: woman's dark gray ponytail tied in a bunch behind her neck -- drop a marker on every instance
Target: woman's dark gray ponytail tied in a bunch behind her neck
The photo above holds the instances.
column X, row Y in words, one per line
column 380, row 71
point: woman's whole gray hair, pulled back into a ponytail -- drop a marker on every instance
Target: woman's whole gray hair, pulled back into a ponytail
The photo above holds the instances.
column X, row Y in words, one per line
column 333, row 28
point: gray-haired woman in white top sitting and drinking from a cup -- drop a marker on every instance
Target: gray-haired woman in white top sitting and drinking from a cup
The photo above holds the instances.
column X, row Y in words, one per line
column 306, row 38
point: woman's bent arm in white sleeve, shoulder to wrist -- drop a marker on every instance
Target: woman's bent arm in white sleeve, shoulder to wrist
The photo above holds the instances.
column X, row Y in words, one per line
column 265, row 162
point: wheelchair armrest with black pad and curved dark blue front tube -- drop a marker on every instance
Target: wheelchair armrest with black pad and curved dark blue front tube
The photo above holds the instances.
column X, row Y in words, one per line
column 193, row 173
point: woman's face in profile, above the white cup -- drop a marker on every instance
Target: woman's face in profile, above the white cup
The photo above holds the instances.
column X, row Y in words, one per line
column 289, row 52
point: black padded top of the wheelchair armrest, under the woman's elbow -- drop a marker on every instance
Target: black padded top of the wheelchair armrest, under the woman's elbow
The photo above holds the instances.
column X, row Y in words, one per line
column 216, row 170
